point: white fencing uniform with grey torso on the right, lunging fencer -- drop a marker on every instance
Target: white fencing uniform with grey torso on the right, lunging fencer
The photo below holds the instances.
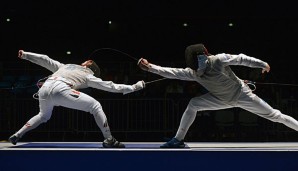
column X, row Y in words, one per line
column 226, row 90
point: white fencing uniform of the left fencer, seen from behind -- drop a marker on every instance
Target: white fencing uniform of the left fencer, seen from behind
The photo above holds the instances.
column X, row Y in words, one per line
column 61, row 90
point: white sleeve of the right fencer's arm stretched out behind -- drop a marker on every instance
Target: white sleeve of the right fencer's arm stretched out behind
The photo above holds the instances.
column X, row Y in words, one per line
column 241, row 59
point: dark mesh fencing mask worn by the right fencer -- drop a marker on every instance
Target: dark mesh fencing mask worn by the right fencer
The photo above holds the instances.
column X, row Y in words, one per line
column 196, row 56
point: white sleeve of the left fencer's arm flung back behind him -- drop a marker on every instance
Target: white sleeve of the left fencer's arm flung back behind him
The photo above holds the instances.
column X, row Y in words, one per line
column 42, row 60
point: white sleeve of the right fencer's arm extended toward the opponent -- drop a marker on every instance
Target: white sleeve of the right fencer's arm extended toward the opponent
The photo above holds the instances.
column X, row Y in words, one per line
column 173, row 73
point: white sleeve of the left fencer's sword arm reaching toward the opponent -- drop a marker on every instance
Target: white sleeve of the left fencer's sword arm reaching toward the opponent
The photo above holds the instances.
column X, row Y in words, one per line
column 110, row 86
